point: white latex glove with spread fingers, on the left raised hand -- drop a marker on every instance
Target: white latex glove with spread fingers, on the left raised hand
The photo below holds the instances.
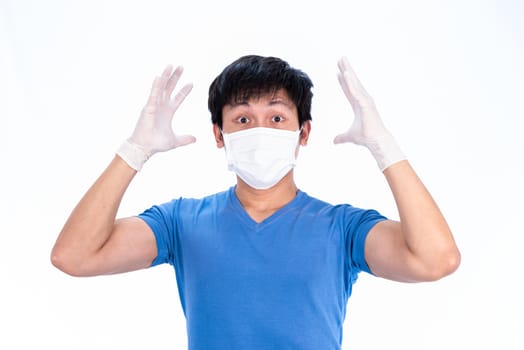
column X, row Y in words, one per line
column 153, row 132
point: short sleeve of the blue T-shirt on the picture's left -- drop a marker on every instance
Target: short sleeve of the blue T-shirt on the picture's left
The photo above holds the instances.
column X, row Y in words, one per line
column 160, row 219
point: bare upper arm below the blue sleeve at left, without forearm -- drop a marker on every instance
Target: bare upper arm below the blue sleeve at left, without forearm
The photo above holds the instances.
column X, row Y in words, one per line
column 131, row 246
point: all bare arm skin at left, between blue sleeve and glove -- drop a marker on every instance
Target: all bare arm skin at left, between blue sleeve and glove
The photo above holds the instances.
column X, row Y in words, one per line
column 92, row 242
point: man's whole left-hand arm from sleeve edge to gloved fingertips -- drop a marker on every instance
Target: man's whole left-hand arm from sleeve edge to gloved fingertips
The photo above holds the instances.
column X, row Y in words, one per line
column 92, row 241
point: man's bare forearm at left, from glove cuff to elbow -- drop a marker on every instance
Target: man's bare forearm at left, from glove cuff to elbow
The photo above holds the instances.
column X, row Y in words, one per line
column 90, row 224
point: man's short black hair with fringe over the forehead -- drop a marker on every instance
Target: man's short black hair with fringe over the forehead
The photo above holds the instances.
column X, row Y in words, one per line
column 252, row 76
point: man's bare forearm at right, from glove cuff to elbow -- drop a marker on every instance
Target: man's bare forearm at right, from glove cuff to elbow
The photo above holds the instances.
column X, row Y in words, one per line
column 424, row 228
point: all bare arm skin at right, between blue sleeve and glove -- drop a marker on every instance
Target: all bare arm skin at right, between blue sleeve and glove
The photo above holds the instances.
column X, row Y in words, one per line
column 420, row 247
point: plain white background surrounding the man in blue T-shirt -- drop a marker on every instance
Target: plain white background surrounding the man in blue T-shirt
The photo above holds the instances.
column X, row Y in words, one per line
column 447, row 77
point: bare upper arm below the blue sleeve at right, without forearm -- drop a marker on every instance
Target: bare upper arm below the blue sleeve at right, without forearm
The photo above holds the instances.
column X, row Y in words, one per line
column 388, row 255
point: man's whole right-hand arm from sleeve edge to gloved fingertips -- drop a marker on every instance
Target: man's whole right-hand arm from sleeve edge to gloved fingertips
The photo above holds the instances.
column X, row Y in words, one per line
column 419, row 247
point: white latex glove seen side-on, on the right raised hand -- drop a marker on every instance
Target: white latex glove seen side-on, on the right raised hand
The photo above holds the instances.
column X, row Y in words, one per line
column 367, row 128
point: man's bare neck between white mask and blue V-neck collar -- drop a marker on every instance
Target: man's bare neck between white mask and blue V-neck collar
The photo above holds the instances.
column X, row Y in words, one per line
column 260, row 204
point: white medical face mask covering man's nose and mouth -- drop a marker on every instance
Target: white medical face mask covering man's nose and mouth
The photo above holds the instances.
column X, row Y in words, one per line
column 261, row 156
